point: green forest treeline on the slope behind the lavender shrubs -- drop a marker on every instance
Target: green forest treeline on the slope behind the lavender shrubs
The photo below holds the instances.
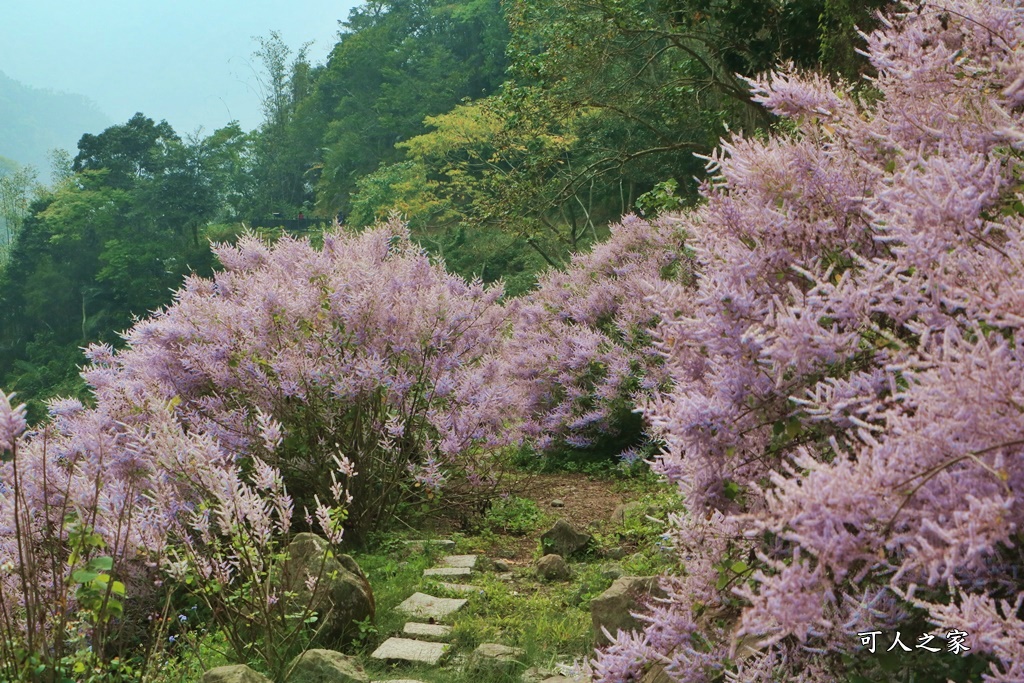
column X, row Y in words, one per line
column 508, row 136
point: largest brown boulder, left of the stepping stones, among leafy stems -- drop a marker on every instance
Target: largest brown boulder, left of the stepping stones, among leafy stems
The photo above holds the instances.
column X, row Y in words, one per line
column 342, row 596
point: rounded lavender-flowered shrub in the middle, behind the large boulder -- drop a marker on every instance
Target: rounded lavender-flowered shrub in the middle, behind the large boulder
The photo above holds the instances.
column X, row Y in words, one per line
column 364, row 348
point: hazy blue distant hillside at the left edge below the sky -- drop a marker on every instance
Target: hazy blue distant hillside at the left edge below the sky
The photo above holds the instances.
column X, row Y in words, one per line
column 34, row 121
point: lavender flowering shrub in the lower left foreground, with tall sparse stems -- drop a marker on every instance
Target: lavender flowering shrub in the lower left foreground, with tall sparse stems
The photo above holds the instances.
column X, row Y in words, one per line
column 101, row 505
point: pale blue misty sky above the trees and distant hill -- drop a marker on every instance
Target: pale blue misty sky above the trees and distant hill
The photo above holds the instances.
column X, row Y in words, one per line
column 189, row 62
